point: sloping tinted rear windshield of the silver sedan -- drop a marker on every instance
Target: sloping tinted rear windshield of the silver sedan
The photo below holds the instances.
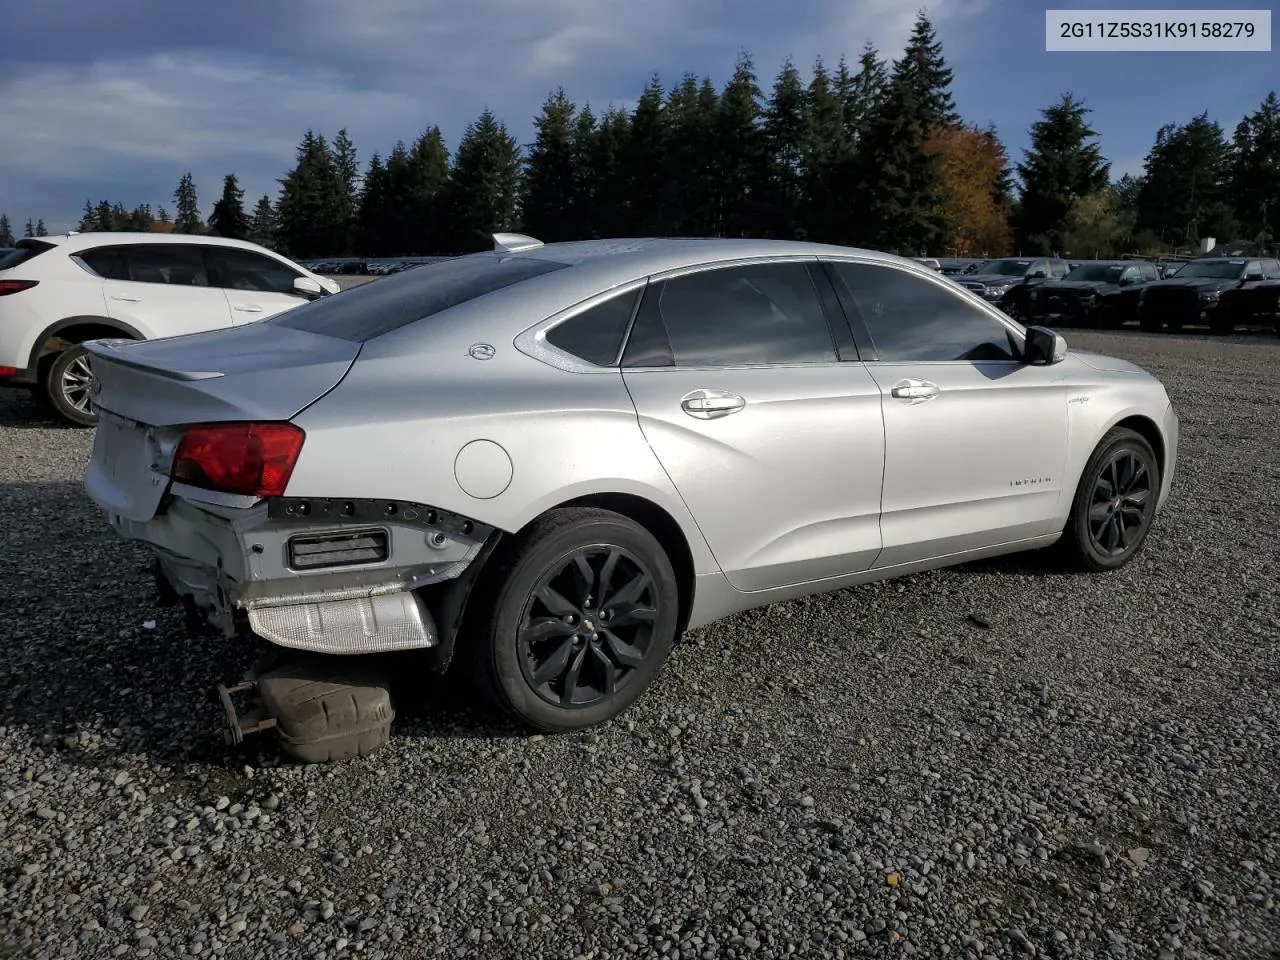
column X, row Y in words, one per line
column 391, row 303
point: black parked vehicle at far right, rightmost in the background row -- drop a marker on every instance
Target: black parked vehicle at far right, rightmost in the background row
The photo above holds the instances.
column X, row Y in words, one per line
column 1194, row 295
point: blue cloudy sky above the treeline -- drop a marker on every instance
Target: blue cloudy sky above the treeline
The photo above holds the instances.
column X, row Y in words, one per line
column 118, row 99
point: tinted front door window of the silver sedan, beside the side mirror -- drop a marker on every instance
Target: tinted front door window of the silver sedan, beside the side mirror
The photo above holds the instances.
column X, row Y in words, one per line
column 913, row 319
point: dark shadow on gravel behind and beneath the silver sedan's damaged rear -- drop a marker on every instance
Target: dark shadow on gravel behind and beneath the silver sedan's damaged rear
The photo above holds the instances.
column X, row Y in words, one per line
column 93, row 666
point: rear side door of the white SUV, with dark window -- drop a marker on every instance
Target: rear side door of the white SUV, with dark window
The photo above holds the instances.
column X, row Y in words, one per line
column 161, row 290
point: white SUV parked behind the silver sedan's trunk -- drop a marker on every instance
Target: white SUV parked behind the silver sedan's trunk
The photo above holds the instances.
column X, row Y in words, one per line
column 58, row 292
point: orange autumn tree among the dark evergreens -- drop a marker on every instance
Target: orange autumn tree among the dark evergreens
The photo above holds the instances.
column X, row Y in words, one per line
column 971, row 166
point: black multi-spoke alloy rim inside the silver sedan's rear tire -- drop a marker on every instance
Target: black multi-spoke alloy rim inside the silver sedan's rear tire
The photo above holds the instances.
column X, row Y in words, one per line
column 588, row 627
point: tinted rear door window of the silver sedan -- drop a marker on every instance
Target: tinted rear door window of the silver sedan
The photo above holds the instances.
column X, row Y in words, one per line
column 764, row 314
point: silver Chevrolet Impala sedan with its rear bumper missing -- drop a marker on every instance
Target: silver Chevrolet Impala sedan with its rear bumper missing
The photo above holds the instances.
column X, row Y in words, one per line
column 554, row 460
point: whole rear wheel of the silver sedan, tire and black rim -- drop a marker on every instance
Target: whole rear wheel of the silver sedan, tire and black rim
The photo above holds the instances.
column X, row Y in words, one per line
column 580, row 616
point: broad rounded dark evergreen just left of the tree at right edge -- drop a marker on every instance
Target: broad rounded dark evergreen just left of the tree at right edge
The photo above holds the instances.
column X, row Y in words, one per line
column 1185, row 186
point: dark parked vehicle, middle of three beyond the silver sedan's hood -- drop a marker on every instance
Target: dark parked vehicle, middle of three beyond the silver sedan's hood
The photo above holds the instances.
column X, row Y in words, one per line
column 1099, row 294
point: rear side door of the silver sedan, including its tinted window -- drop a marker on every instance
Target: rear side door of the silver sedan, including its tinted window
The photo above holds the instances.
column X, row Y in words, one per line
column 764, row 418
